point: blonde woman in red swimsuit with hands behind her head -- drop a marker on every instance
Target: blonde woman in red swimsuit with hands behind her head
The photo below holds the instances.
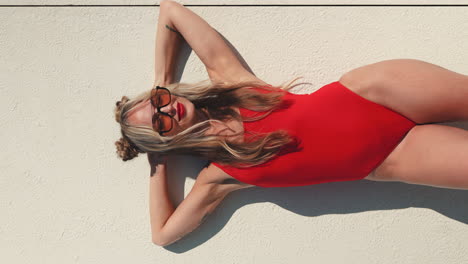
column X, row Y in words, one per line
column 373, row 123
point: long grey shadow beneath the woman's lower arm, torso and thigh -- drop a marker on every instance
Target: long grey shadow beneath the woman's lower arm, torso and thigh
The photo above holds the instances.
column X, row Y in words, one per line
column 330, row 198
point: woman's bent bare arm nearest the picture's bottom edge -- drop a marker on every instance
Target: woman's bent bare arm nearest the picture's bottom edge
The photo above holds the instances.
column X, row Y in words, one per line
column 168, row 224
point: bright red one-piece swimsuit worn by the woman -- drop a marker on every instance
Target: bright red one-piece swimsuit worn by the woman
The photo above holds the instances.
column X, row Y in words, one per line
column 342, row 137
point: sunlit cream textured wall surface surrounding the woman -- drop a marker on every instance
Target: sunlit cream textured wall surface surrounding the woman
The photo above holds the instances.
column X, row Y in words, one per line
column 66, row 198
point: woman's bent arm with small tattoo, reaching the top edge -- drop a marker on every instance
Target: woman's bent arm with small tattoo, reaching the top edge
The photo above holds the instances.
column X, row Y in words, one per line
column 220, row 61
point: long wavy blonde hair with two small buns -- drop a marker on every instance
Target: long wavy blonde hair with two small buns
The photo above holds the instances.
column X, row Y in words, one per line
column 215, row 98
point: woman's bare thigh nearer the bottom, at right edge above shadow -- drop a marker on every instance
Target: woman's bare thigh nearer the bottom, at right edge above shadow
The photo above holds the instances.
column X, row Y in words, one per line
column 432, row 154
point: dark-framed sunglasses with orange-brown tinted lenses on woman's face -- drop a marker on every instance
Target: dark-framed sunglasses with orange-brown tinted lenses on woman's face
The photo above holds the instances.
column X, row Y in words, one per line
column 162, row 122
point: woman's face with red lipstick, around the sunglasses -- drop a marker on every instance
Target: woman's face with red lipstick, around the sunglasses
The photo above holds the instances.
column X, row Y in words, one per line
column 181, row 109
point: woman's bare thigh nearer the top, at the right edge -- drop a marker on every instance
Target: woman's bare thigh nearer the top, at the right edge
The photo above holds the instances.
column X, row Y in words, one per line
column 421, row 91
